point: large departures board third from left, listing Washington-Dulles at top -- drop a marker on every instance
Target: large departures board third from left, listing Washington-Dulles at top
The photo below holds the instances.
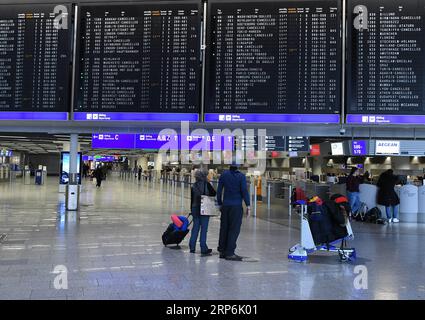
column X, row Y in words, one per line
column 273, row 61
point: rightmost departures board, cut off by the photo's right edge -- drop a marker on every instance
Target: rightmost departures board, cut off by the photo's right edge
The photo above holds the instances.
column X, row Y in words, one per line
column 386, row 62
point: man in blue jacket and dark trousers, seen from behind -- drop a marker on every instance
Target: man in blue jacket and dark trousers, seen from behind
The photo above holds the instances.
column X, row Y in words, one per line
column 235, row 190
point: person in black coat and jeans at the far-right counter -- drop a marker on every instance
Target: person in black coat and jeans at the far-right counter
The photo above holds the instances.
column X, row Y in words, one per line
column 387, row 196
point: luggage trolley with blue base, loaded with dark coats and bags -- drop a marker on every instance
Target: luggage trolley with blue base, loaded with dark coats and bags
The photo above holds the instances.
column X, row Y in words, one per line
column 300, row 251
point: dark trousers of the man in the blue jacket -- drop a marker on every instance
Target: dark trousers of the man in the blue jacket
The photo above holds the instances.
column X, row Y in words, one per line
column 230, row 227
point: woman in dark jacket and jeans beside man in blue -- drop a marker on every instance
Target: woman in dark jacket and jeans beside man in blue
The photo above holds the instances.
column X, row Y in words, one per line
column 200, row 222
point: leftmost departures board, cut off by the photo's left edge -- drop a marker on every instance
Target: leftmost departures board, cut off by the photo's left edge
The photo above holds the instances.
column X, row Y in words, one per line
column 35, row 56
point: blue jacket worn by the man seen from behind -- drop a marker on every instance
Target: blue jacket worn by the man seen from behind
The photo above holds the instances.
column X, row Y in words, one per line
column 235, row 189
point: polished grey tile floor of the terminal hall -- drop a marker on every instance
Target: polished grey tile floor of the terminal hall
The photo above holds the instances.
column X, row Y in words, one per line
column 112, row 250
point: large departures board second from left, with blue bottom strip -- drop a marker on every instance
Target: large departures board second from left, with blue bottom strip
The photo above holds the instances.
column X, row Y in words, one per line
column 139, row 62
